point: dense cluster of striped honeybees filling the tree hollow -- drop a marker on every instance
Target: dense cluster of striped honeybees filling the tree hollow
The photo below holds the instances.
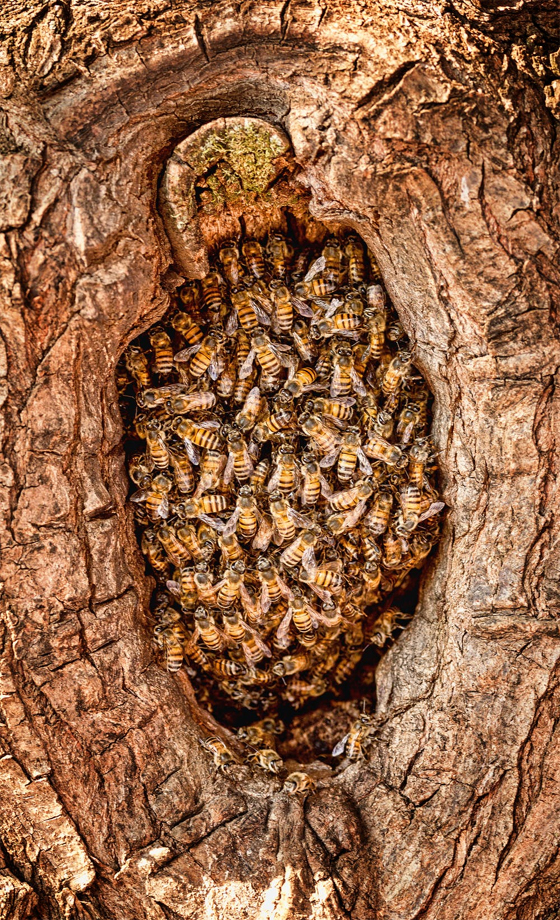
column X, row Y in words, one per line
column 285, row 485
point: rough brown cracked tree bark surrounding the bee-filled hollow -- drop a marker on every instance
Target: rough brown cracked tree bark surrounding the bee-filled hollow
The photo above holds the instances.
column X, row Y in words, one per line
column 426, row 127
